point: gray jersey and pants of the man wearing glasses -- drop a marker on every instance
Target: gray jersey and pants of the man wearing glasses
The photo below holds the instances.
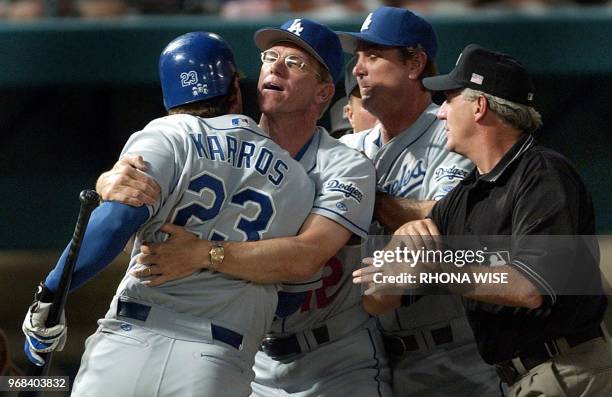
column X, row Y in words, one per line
column 352, row 360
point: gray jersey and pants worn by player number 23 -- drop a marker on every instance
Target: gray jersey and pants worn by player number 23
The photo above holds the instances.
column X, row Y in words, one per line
column 223, row 179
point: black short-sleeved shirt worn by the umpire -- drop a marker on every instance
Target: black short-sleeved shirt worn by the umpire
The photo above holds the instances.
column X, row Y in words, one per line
column 531, row 191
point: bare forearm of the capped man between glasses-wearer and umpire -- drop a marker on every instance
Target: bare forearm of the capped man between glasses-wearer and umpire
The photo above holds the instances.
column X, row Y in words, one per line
column 392, row 212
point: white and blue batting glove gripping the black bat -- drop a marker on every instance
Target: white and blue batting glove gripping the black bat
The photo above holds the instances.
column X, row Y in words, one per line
column 39, row 338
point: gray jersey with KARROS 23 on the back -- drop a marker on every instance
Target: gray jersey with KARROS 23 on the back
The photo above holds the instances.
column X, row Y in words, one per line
column 223, row 179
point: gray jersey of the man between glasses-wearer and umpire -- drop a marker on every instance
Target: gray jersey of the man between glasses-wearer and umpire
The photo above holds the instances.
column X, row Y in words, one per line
column 415, row 164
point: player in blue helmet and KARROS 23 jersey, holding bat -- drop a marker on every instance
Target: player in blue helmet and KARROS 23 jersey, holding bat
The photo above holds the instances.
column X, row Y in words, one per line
column 220, row 177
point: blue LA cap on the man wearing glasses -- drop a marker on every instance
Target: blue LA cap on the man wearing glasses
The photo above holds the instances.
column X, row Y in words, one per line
column 318, row 40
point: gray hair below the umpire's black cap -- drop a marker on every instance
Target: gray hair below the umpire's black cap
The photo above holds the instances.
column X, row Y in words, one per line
column 522, row 117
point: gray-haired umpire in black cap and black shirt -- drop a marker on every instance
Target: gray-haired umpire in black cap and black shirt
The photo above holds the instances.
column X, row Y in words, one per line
column 542, row 340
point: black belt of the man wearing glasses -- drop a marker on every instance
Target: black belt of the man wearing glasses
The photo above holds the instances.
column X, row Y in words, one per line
column 281, row 348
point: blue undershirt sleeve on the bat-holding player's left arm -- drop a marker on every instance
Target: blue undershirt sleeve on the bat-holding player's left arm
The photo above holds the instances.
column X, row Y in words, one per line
column 110, row 227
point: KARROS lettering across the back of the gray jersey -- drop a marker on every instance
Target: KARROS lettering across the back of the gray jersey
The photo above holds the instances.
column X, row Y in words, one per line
column 241, row 154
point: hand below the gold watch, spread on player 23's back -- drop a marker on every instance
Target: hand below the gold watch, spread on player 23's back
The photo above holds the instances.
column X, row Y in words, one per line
column 181, row 255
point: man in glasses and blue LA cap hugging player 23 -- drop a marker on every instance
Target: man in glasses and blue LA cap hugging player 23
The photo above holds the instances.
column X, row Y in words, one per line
column 331, row 347
